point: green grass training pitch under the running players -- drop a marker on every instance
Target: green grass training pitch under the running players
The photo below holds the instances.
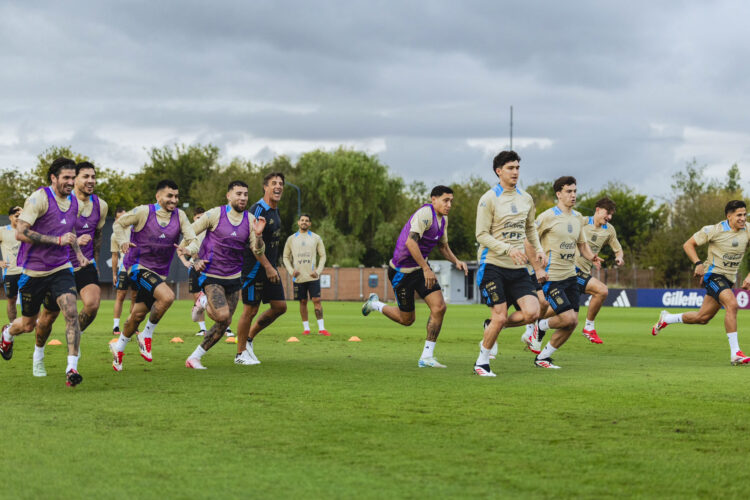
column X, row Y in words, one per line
column 638, row 416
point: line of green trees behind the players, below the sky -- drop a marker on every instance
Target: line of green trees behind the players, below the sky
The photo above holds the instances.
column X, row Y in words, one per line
column 359, row 207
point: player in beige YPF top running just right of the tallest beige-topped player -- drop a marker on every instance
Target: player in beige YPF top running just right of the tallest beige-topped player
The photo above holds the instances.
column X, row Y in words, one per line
column 561, row 233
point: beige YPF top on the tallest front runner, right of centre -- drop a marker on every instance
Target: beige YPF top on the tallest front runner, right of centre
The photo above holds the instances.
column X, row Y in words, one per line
column 505, row 218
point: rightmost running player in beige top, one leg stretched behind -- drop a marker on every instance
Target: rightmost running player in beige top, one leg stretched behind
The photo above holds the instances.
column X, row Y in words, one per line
column 727, row 242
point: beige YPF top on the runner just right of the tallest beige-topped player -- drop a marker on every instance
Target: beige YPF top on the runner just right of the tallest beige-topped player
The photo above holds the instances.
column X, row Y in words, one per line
column 560, row 234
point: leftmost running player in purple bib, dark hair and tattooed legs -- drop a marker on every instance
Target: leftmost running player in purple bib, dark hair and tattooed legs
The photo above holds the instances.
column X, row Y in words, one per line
column 46, row 228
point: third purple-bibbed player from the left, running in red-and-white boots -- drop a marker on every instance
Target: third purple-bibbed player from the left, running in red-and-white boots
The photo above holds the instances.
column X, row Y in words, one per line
column 148, row 254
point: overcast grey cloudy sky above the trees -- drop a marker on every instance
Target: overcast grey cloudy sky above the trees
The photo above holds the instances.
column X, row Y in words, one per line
column 625, row 91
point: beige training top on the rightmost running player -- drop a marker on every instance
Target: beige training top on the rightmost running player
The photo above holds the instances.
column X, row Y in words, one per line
column 726, row 248
